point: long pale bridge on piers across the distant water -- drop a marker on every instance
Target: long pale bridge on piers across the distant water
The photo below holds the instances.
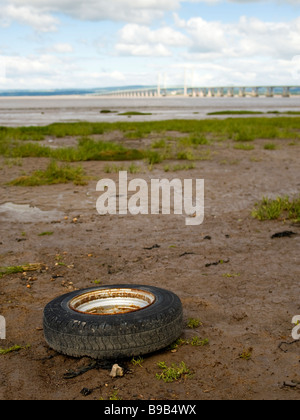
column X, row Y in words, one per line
column 202, row 92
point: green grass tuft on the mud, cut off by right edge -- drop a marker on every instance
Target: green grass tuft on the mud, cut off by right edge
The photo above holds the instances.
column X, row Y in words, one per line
column 282, row 208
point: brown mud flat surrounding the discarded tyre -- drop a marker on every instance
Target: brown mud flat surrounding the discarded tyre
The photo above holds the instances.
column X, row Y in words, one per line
column 245, row 305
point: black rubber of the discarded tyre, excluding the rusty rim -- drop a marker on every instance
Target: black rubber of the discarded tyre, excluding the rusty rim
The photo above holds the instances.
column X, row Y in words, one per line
column 113, row 336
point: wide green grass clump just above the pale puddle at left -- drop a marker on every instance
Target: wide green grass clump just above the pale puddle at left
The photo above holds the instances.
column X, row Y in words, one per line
column 54, row 174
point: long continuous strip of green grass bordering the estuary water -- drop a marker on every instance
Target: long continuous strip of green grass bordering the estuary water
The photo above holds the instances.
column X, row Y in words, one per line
column 214, row 127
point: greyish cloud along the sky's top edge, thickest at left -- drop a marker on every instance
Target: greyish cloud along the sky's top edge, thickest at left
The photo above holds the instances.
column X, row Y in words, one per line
column 40, row 13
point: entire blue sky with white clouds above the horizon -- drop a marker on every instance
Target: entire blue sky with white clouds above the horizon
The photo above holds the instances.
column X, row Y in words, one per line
column 47, row 44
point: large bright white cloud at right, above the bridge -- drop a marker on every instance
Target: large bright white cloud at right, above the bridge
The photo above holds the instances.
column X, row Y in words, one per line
column 248, row 37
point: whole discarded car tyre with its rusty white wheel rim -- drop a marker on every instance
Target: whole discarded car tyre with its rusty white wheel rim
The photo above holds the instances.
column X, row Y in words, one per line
column 112, row 322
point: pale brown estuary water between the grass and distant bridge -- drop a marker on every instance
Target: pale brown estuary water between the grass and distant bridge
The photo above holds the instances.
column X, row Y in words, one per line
column 34, row 111
